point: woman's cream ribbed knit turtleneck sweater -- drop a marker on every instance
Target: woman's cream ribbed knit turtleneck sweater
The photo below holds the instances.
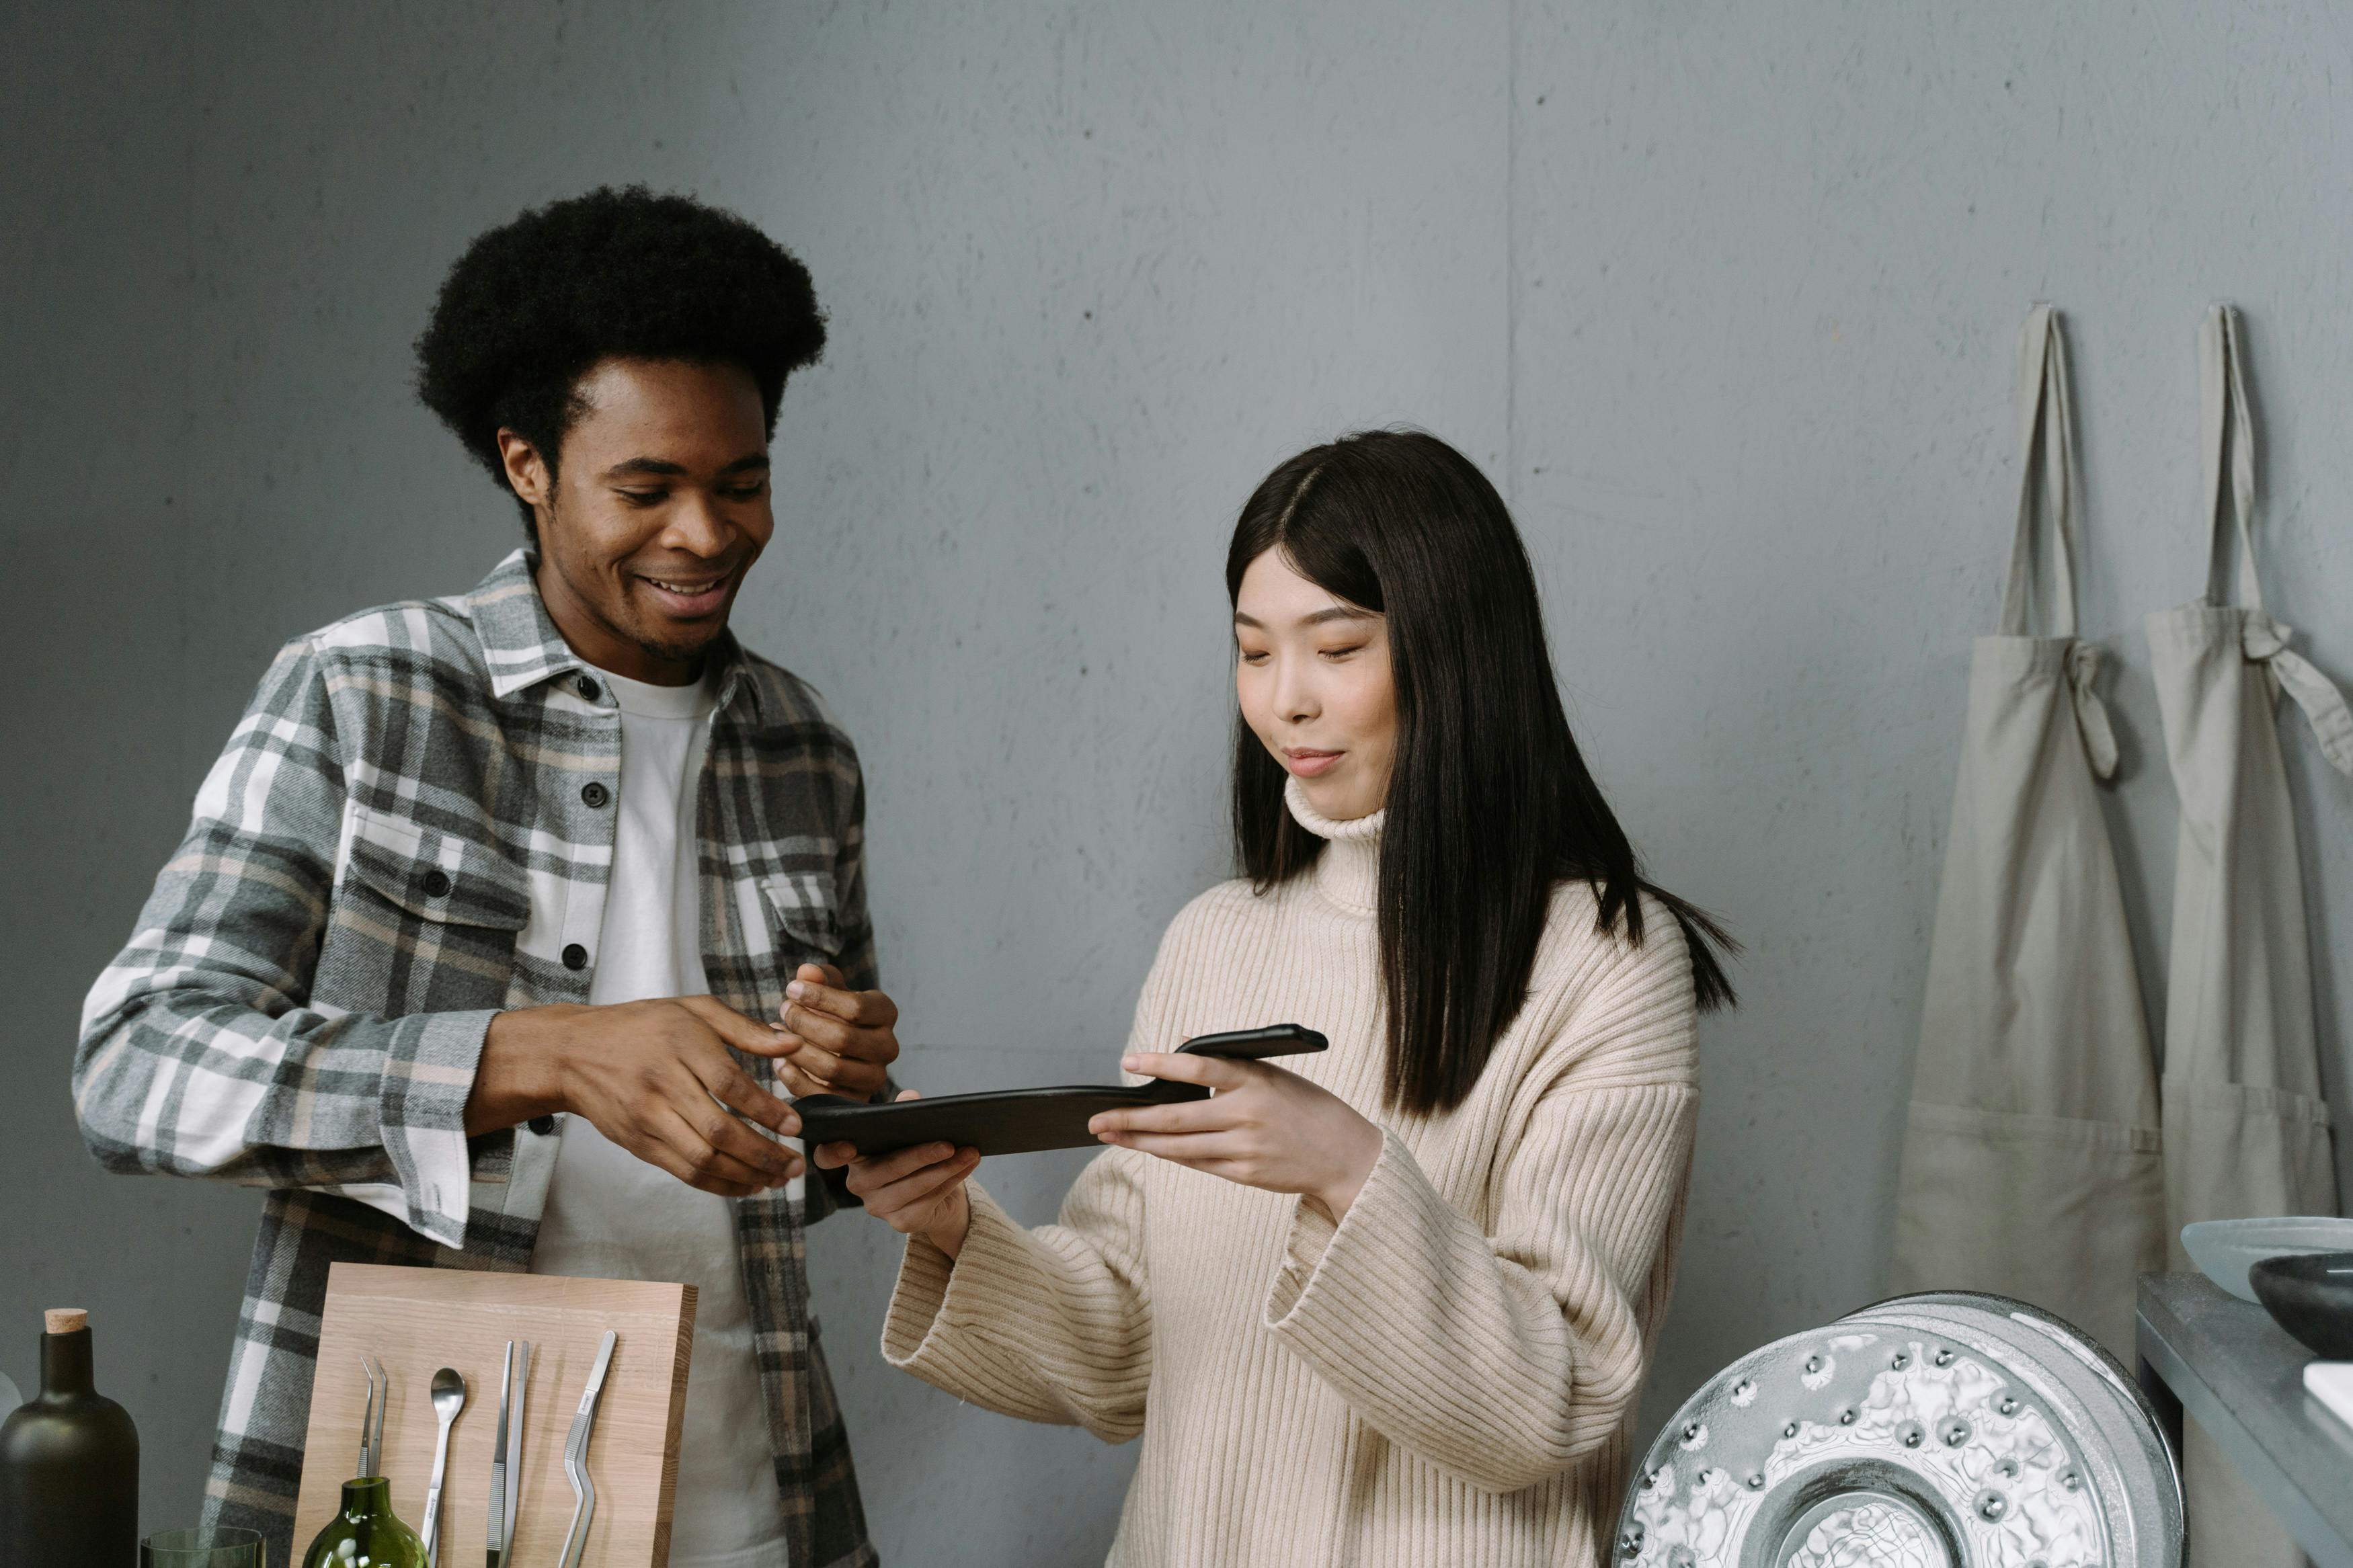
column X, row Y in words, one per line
column 1448, row 1379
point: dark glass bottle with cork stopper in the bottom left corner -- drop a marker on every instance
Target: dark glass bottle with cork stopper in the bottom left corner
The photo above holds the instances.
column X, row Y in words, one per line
column 69, row 1463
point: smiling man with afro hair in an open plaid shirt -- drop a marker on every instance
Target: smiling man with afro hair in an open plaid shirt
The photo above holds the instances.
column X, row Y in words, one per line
column 509, row 923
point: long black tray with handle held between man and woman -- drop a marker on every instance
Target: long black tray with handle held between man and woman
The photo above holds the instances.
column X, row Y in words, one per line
column 1027, row 1120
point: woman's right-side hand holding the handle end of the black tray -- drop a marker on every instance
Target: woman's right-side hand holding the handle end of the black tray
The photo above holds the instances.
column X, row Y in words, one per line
column 1262, row 1127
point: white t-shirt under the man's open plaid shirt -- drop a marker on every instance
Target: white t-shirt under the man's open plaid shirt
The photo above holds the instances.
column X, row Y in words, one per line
column 611, row 1214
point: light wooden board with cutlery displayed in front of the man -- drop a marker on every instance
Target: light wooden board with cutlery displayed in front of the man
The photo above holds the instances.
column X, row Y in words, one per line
column 425, row 1320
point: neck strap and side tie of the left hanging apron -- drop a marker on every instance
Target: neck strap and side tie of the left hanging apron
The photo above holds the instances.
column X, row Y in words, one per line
column 2048, row 448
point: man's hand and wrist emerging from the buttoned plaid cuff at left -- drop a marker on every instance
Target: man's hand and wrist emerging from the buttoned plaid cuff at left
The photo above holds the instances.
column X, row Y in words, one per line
column 651, row 1076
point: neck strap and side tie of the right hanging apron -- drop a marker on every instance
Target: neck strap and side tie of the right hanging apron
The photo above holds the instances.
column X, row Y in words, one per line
column 2225, row 413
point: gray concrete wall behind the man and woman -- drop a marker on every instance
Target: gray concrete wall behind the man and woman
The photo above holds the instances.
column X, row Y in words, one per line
column 1721, row 295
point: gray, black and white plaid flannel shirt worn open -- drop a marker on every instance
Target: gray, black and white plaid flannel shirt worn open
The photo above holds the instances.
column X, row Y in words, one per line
column 396, row 845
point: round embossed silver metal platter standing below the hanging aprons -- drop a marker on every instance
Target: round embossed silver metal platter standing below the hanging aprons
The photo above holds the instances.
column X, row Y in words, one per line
column 1942, row 1430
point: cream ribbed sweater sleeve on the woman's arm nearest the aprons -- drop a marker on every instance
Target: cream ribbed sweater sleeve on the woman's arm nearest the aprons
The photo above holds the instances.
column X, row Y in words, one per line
column 1507, row 1358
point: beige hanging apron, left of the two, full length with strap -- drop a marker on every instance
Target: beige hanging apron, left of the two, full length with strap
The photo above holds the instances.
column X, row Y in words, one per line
column 2032, row 1146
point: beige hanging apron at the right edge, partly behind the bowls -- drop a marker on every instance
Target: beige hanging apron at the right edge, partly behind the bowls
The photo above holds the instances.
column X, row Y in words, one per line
column 2246, row 1130
